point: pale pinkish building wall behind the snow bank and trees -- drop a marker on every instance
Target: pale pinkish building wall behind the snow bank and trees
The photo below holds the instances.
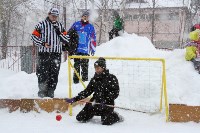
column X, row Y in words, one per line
column 170, row 25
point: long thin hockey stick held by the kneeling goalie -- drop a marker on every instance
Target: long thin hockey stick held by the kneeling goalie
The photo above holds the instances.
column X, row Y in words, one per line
column 123, row 108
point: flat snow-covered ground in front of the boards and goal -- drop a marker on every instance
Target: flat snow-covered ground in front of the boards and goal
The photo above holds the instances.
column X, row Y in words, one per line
column 46, row 123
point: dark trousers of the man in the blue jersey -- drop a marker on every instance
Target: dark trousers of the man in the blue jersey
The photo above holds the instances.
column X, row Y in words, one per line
column 83, row 64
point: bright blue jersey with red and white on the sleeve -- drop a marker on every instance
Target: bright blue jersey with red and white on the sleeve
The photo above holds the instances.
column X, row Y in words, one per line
column 87, row 37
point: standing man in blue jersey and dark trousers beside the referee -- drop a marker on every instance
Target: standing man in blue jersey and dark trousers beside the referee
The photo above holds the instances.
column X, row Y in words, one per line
column 86, row 45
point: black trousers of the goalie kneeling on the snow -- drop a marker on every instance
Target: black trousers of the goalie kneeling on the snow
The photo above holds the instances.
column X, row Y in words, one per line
column 108, row 116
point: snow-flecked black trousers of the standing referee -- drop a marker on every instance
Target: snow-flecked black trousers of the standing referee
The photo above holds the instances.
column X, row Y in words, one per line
column 47, row 71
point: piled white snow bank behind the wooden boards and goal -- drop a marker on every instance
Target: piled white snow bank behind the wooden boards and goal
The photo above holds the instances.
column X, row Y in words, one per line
column 182, row 80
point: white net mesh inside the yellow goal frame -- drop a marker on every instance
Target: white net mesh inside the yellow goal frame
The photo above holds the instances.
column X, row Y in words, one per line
column 140, row 82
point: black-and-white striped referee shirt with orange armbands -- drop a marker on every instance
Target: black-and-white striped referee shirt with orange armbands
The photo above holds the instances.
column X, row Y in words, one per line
column 46, row 33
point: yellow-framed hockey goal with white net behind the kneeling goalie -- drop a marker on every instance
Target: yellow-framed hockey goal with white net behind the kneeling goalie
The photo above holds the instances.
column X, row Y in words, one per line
column 142, row 82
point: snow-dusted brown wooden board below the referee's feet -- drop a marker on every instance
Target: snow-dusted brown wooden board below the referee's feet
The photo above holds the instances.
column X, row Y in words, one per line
column 38, row 105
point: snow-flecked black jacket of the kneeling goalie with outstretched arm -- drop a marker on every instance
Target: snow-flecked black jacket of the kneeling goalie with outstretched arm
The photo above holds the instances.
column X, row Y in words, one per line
column 104, row 86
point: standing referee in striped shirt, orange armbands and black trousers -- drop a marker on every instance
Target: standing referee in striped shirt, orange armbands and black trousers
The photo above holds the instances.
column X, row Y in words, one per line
column 49, row 36
